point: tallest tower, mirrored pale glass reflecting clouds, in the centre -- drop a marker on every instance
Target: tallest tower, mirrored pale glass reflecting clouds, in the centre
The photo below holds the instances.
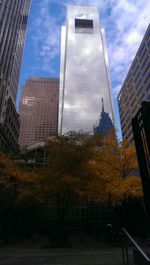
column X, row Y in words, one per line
column 84, row 77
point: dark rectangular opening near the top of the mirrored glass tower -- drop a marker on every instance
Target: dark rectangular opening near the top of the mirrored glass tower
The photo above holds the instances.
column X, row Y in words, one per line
column 83, row 25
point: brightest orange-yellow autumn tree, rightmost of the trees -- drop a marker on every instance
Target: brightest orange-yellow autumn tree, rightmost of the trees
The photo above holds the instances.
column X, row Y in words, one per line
column 116, row 165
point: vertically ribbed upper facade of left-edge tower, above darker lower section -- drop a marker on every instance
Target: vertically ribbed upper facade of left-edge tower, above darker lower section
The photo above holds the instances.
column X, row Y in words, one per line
column 13, row 21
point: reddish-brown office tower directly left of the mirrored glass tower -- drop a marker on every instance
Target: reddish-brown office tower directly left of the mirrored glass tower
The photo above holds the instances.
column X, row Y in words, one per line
column 38, row 110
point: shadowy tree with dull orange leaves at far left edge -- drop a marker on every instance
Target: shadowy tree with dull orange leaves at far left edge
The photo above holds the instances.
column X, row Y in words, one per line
column 18, row 193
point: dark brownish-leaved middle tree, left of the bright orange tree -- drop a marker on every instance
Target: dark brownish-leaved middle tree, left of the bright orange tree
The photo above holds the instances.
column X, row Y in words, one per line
column 67, row 168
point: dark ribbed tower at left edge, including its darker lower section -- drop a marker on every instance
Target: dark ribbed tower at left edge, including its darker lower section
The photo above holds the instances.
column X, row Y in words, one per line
column 13, row 23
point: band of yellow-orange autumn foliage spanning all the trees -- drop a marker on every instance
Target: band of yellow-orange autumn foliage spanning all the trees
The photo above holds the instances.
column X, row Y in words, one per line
column 95, row 168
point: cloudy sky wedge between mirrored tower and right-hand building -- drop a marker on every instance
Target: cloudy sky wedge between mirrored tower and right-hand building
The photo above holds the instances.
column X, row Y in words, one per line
column 125, row 27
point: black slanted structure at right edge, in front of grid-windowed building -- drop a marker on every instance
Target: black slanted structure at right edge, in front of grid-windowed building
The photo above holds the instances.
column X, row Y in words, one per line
column 141, row 132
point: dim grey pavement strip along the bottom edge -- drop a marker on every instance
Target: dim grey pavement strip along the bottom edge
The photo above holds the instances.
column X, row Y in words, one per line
column 14, row 256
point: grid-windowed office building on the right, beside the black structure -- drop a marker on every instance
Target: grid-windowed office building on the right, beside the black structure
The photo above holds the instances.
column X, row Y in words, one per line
column 136, row 87
